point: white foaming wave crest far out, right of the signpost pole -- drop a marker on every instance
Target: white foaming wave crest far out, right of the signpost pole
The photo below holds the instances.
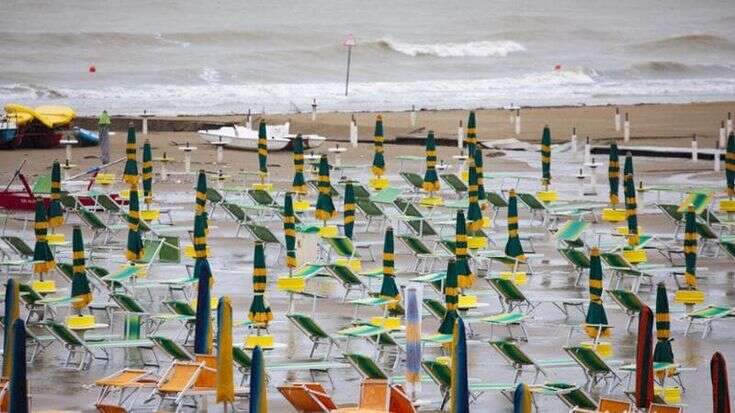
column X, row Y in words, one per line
column 482, row 48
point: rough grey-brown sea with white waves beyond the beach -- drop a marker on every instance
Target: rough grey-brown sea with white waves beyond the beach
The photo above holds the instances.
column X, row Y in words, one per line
column 277, row 56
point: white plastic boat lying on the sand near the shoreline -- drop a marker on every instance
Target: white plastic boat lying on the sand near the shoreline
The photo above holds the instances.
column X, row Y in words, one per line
column 241, row 137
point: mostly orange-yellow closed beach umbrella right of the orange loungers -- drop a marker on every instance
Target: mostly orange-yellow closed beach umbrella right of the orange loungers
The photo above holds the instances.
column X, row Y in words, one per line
column 225, row 377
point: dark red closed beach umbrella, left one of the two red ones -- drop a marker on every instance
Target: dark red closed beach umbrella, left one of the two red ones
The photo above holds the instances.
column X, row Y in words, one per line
column 644, row 360
